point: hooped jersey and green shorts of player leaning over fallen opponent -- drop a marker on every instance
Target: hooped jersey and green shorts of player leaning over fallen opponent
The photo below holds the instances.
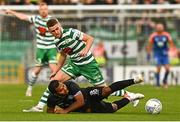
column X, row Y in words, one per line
column 70, row 43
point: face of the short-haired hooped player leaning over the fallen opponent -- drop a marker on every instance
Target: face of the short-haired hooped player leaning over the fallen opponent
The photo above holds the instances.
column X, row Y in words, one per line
column 55, row 30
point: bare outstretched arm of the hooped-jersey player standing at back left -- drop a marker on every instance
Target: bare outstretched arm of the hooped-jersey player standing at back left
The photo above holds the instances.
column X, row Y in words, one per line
column 17, row 14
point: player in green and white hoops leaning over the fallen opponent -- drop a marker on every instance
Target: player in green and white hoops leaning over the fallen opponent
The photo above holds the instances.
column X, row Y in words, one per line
column 75, row 44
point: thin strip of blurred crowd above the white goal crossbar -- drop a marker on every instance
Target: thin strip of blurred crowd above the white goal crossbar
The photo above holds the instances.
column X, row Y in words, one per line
column 86, row 2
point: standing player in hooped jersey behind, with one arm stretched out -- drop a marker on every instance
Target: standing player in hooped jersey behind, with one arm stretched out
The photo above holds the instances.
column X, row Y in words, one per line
column 46, row 51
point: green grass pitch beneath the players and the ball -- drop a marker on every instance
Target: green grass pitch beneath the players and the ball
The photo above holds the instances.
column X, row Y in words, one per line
column 13, row 101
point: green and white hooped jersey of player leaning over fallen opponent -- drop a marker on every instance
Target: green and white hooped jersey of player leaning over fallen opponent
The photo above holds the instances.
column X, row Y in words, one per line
column 71, row 43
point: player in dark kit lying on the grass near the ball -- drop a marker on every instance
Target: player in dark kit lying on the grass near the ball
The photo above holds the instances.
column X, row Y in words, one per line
column 69, row 97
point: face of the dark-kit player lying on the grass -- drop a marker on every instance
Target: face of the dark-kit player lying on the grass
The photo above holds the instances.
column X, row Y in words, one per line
column 62, row 89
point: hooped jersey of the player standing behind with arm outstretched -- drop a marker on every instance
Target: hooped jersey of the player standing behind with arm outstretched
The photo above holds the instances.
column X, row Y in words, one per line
column 44, row 39
